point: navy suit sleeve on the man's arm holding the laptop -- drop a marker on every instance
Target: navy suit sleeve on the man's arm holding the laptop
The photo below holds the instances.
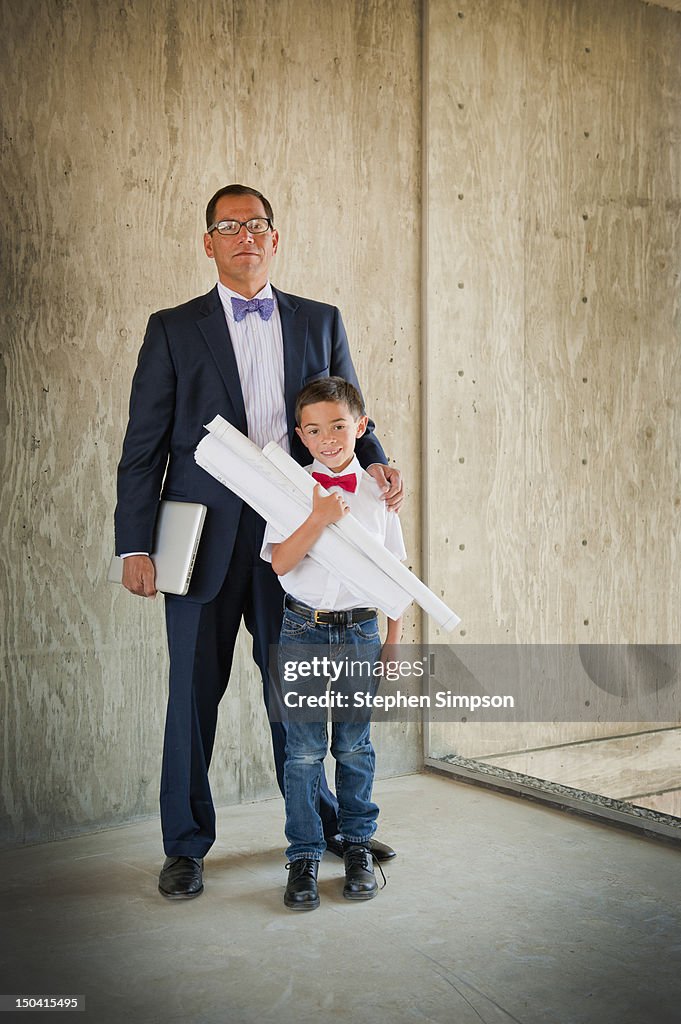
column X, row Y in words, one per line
column 147, row 443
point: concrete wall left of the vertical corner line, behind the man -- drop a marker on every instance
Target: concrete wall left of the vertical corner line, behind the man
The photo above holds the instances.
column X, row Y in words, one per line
column 121, row 120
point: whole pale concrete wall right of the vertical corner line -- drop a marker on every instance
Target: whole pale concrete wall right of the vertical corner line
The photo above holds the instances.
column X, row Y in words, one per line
column 555, row 241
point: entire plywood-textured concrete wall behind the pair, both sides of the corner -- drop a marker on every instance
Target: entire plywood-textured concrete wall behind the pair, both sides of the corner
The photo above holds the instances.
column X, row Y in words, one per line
column 551, row 454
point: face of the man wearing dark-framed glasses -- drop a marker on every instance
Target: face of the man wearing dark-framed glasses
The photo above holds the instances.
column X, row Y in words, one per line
column 243, row 261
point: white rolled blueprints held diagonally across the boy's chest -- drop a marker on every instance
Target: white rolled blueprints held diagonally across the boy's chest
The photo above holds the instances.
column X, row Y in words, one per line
column 281, row 491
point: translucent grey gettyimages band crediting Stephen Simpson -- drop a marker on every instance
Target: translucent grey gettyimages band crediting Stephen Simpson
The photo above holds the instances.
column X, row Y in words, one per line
column 480, row 684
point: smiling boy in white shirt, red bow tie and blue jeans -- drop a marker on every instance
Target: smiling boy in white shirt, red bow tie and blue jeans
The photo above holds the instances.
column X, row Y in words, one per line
column 324, row 617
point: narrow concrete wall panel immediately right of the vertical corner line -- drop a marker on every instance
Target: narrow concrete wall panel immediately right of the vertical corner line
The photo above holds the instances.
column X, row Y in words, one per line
column 475, row 363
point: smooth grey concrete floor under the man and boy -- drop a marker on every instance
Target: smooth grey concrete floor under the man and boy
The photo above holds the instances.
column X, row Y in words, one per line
column 496, row 911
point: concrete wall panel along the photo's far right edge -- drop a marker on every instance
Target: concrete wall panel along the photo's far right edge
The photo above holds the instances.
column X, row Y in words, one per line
column 603, row 327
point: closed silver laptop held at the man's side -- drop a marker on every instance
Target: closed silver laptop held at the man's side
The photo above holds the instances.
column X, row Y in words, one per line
column 176, row 544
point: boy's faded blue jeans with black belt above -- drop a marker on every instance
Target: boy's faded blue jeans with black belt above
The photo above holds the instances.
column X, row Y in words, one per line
column 355, row 647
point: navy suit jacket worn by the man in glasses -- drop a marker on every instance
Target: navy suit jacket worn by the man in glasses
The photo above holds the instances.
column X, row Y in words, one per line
column 187, row 373
